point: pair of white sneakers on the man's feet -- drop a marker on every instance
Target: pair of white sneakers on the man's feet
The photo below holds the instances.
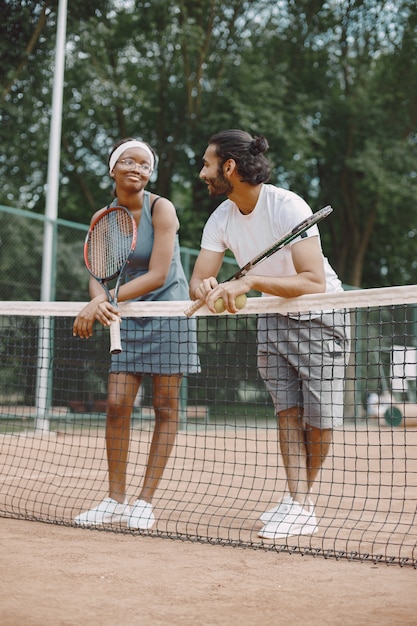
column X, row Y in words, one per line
column 290, row 519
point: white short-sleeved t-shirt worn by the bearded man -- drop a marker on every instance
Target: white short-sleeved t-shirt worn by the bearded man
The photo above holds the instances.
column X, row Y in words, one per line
column 276, row 213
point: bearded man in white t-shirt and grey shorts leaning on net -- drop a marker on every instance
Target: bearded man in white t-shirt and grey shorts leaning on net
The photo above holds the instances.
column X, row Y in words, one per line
column 301, row 358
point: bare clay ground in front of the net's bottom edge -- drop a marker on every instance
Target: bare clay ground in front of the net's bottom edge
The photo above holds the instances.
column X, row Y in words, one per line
column 59, row 576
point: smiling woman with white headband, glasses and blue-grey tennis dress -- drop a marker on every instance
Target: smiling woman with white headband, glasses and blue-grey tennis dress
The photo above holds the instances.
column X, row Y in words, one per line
column 150, row 345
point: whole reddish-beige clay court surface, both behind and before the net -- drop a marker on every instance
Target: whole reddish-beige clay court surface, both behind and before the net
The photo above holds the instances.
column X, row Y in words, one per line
column 52, row 574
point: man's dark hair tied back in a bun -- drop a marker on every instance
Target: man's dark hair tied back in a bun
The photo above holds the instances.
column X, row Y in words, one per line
column 247, row 151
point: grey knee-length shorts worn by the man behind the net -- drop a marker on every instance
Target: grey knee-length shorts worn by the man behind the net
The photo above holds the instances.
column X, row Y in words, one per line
column 303, row 363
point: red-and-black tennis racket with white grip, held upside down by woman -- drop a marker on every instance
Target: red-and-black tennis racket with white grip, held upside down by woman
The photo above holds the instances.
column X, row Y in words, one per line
column 108, row 248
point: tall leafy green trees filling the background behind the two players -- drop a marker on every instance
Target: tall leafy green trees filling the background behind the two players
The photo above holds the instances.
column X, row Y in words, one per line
column 333, row 86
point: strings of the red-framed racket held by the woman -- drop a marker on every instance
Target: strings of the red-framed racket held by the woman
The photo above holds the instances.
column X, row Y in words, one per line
column 110, row 243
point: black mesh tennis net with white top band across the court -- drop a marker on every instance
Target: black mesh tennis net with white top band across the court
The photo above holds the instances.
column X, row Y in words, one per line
column 226, row 468
